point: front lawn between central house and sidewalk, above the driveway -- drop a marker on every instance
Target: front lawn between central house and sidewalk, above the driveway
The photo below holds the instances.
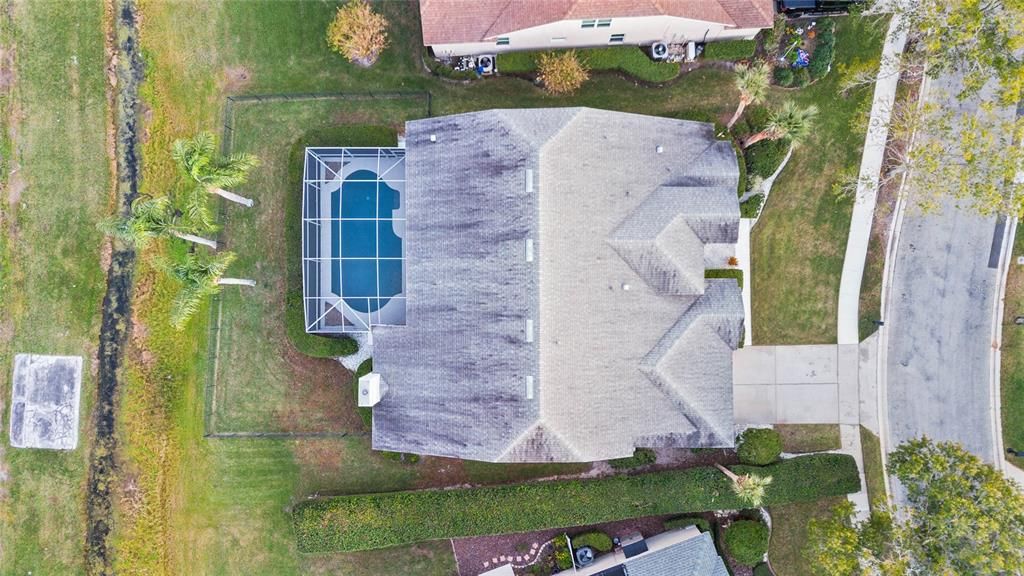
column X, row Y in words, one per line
column 800, row 241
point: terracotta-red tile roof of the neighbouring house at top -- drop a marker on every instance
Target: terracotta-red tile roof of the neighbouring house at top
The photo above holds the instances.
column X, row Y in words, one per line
column 451, row 22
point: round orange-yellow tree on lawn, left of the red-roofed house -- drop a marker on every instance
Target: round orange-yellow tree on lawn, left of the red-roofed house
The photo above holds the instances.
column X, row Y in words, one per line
column 358, row 33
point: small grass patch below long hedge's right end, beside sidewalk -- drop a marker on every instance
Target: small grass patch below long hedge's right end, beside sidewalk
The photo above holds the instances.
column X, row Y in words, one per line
column 789, row 536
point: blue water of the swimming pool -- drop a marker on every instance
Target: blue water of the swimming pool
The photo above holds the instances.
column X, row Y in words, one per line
column 365, row 281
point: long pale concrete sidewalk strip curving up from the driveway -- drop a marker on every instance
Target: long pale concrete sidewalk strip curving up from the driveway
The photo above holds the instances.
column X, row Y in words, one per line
column 871, row 167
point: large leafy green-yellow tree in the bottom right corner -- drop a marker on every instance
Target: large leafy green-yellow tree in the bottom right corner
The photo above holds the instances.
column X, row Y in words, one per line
column 961, row 517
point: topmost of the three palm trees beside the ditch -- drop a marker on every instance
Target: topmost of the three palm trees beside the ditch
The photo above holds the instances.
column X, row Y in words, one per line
column 198, row 158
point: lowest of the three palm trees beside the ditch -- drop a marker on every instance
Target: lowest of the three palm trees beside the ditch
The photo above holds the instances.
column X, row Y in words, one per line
column 200, row 278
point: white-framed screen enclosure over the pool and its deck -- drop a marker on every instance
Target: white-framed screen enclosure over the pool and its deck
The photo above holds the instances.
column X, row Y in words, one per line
column 354, row 224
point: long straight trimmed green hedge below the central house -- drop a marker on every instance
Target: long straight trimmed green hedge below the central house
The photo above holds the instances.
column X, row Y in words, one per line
column 380, row 521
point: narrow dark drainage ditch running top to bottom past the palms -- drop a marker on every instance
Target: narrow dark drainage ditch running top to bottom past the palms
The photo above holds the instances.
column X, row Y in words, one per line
column 117, row 302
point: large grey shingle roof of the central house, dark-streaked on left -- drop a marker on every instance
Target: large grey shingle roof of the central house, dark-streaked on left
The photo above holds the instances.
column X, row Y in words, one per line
column 631, row 346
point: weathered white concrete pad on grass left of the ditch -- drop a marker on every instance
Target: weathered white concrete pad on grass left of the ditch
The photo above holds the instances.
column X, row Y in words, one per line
column 46, row 398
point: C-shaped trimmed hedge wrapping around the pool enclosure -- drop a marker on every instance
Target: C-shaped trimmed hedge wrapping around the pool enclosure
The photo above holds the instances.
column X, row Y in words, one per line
column 310, row 345
